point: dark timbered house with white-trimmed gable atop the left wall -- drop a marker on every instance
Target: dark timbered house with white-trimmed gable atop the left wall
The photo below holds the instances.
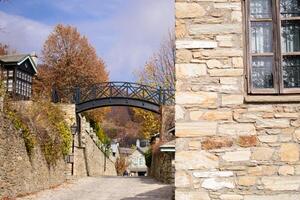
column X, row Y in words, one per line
column 17, row 72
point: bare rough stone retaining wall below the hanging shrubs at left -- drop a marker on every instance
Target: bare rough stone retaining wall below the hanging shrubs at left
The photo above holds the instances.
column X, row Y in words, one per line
column 18, row 174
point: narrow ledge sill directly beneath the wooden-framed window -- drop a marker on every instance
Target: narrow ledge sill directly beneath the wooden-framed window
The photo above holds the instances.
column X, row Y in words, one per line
column 272, row 99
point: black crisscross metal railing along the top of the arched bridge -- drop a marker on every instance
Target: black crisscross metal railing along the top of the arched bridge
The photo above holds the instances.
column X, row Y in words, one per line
column 128, row 90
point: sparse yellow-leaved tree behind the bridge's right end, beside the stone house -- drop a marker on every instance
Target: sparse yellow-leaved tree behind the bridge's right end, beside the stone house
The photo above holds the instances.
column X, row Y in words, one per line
column 158, row 72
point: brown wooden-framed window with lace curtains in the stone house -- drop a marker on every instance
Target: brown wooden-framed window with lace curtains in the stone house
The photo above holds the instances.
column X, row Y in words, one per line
column 273, row 46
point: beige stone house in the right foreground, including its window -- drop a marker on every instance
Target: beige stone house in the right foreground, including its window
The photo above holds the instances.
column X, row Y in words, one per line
column 237, row 99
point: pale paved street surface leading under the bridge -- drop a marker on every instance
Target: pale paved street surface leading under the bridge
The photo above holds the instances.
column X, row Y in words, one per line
column 106, row 188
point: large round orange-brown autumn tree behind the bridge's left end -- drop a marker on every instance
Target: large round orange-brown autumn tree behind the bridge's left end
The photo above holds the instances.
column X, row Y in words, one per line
column 69, row 61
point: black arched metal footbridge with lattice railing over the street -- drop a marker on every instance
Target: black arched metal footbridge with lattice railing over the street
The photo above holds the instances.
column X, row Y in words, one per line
column 116, row 94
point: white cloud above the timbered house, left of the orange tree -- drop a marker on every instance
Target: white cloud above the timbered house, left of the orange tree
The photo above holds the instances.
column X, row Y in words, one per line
column 22, row 34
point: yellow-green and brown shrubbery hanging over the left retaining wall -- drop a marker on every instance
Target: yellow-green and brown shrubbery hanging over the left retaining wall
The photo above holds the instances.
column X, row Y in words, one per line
column 44, row 125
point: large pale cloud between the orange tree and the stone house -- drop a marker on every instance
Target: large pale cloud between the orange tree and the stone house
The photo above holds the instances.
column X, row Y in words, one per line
column 130, row 37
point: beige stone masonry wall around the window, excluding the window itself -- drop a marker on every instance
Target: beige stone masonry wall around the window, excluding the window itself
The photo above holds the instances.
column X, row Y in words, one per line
column 227, row 148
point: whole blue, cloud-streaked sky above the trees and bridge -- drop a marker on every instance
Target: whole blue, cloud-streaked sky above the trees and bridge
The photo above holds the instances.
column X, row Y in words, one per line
column 125, row 33
